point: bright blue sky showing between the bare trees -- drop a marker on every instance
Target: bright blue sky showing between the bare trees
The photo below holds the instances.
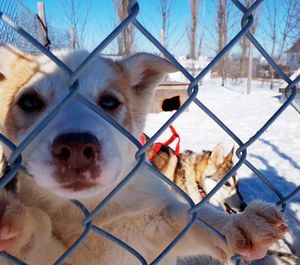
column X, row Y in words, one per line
column 103, row 18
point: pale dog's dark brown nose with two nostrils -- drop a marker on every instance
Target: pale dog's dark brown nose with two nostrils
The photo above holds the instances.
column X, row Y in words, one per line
column 76, row 150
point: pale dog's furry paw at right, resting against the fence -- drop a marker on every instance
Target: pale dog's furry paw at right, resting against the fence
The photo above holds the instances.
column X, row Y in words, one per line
column 250, row 234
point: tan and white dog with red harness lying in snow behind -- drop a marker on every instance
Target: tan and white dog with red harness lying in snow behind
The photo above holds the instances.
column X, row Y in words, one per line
column 198, row 173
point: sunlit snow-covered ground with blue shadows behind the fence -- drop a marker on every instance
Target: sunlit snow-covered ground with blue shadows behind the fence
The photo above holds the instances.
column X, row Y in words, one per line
column 276, row 154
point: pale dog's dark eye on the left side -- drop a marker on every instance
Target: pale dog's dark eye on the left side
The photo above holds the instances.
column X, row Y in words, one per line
column 30, row 102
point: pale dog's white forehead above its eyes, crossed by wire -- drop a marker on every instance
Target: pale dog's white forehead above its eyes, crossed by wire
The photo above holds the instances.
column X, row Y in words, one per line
column 94, row 78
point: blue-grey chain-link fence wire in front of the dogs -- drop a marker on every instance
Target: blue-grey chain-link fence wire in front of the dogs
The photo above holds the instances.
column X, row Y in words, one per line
column 13, row 31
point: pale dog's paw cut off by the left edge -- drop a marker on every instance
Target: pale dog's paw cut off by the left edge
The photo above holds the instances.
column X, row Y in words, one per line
column 14, row 224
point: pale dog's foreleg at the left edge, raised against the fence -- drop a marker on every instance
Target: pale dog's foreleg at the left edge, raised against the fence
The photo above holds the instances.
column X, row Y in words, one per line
column 25, row 232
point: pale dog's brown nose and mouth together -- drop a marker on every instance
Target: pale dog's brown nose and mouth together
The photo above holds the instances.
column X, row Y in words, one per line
column 75, row 157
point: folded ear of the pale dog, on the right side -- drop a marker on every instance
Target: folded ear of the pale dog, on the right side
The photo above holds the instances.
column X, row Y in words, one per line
column 145, row 71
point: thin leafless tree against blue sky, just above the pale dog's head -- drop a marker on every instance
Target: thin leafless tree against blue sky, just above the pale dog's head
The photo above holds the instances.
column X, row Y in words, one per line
column 77, row 14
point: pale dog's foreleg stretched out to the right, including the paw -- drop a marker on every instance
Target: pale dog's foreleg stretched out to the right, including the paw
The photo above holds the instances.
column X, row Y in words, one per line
column 249, row 234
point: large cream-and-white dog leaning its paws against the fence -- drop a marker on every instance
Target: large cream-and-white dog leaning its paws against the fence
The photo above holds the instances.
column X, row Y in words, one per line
column 80, row 156
